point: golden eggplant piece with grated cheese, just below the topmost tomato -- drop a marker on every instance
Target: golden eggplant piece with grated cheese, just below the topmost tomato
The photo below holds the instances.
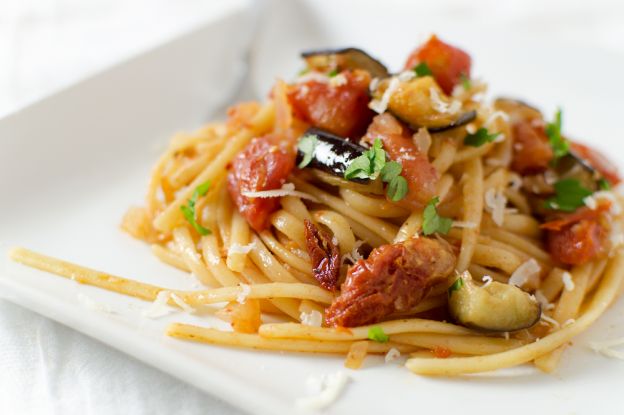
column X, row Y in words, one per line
column 411, row 102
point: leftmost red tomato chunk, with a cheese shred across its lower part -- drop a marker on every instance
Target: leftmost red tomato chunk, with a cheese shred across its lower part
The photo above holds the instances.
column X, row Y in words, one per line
column 264, row 164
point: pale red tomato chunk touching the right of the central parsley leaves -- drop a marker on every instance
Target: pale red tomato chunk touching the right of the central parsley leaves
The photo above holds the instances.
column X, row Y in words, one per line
column 397, row 141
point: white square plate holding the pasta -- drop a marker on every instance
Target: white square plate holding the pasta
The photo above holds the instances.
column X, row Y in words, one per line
column 71, row 164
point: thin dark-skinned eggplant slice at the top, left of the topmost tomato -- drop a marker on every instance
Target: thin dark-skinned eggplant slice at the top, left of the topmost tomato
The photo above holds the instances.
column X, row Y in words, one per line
column 347, row 58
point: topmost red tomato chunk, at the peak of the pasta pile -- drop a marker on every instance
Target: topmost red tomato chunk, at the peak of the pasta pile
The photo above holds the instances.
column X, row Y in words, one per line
column 447, row 63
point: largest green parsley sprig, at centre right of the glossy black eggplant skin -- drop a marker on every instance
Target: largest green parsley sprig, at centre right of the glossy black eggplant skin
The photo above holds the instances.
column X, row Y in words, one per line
column 373, row 164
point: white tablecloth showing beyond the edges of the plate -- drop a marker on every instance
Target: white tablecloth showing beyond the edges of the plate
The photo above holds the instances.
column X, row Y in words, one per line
column 46, row 368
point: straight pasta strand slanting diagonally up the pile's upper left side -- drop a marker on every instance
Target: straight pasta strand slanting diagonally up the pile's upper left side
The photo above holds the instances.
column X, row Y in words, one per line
column 261, row 122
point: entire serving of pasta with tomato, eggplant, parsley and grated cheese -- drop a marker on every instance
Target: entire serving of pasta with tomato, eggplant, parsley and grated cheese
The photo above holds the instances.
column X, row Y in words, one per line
column 361, row 211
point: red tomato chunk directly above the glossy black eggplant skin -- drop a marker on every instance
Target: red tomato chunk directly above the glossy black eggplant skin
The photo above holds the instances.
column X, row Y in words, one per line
column 341, row 108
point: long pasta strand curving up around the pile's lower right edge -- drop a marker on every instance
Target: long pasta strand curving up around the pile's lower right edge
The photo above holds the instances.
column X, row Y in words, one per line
column 603, row 297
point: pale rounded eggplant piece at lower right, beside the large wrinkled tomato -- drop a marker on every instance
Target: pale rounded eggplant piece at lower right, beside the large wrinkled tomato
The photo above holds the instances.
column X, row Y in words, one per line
column 493, row 306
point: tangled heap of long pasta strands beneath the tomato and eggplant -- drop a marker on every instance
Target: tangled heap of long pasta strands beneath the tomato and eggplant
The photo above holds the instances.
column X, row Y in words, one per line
column 253, row 275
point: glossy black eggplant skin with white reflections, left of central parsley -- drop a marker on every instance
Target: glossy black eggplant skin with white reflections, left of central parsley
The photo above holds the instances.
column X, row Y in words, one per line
column 333, row 154
